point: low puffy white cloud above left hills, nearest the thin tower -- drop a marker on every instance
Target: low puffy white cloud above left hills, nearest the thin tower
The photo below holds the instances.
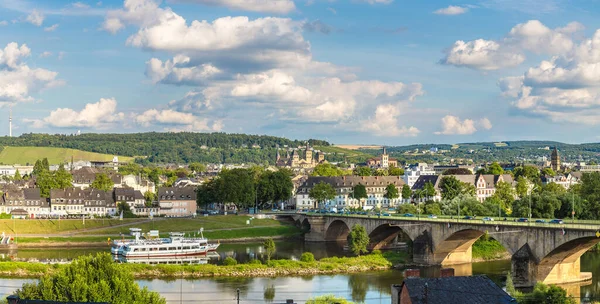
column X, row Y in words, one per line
column 100, row 115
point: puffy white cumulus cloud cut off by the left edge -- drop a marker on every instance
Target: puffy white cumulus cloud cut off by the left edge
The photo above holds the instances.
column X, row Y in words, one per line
column 17, row 80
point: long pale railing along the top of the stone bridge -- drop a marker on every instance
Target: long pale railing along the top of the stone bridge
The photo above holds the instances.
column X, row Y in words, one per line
column 580, row 226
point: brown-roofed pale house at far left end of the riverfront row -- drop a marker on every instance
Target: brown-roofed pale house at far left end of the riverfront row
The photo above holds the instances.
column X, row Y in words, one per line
column 24, row 202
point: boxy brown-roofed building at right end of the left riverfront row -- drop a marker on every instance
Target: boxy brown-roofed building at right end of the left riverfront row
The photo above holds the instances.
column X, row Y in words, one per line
column 177, row 201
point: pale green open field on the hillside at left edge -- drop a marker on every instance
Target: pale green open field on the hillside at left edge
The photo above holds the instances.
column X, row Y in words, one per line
column 28, row 155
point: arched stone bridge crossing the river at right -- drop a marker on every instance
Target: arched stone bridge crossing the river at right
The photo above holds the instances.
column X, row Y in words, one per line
column 540, row 253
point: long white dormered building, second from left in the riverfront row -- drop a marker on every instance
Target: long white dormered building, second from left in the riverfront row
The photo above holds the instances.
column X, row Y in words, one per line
column 79, row 201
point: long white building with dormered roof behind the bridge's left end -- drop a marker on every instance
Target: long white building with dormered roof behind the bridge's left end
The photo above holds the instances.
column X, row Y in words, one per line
column 343, row 185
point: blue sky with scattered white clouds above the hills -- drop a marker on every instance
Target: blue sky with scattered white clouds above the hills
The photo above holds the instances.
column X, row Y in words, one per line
column 390, row 72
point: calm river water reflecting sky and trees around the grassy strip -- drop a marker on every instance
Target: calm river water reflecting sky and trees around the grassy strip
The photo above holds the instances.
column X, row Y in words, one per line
column 371, row 287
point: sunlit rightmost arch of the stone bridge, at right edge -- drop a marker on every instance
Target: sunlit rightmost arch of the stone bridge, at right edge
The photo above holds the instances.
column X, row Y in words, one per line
column 562, row 265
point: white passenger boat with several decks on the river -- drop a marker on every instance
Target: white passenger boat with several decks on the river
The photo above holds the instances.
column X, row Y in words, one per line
column 177, row 245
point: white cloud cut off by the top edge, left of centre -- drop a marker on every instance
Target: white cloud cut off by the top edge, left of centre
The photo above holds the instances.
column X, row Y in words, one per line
column 263, row 6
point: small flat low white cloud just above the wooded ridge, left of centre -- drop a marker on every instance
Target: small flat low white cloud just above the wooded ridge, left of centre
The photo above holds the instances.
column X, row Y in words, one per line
column 176, row 121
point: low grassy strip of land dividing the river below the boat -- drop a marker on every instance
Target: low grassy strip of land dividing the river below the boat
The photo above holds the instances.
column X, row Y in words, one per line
column 371, row 262
